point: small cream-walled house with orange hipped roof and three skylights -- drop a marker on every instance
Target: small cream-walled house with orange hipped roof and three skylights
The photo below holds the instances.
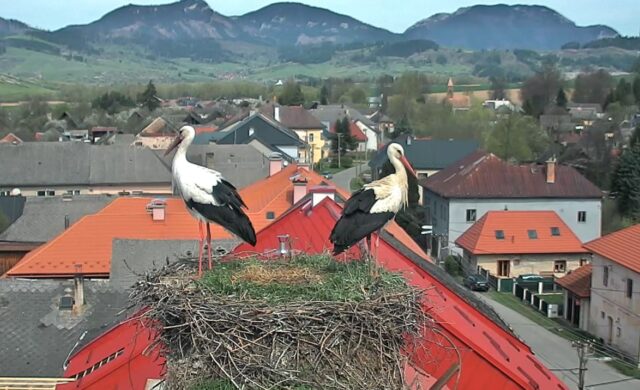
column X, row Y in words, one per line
column 513, row 243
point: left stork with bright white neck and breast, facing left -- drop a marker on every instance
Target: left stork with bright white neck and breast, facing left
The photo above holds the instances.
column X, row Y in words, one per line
column 208, row 196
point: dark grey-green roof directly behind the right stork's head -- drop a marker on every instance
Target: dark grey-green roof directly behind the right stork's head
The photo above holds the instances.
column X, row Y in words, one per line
column 429, row 154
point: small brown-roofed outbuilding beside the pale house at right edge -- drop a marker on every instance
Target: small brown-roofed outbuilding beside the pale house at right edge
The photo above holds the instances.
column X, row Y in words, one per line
column 577, row 296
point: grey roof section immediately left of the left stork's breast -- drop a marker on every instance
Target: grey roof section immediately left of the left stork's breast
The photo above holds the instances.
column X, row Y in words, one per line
column 122, row 164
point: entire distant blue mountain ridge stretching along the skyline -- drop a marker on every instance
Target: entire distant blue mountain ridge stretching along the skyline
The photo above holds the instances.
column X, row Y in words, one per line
column 191, row 28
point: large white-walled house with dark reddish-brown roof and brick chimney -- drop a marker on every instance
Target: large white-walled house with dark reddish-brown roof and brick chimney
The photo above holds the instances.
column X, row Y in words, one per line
column 457, row 196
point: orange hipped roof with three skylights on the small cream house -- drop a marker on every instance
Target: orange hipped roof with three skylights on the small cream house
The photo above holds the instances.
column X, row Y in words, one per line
column 481, row 238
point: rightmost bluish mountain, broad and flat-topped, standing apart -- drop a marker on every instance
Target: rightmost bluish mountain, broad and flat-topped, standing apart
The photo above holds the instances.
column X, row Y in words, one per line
column 505, row 27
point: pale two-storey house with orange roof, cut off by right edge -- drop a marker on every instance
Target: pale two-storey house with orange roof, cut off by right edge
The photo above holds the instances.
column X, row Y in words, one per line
column 614, row 314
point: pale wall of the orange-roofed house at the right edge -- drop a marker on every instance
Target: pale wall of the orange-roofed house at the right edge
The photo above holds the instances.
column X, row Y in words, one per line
column 614, row 316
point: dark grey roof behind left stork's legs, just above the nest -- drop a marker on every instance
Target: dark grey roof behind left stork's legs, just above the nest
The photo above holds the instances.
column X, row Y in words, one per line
column 132, row 258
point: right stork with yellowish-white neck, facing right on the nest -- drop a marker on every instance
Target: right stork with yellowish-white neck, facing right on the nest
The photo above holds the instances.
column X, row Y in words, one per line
column 372, row 207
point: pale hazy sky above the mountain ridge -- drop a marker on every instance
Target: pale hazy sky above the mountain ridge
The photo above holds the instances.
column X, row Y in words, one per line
column 394, row 15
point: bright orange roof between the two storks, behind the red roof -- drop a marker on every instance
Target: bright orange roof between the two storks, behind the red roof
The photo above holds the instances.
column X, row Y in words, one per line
column 275, row 194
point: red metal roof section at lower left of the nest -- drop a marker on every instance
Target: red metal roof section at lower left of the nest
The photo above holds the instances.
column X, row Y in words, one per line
column 124, row 357
